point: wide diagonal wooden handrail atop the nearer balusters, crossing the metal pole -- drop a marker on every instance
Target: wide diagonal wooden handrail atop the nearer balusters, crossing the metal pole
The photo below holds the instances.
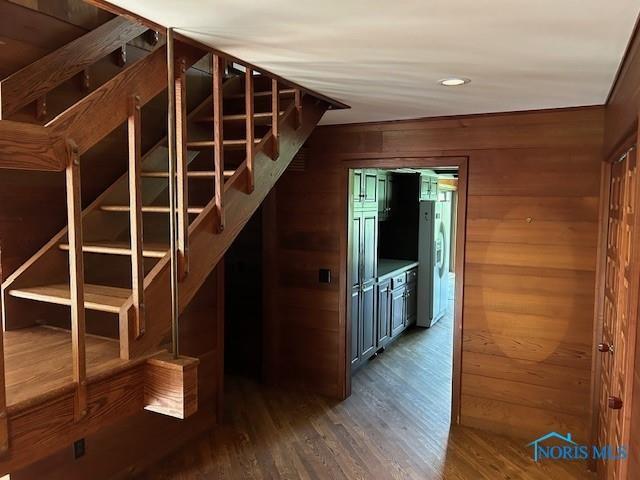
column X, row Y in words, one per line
column 107, row 107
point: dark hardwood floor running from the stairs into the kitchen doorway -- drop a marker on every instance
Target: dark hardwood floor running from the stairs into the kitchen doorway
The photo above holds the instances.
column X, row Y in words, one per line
column 395, row 425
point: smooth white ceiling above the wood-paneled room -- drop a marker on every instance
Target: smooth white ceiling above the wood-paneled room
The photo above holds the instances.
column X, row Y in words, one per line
column 384, row 58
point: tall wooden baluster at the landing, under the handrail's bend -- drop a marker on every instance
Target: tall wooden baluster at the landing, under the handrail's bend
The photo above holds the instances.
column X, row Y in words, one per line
column 76, row 279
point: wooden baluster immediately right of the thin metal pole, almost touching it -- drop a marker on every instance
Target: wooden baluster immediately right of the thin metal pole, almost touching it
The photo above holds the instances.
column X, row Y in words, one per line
column 182, row 168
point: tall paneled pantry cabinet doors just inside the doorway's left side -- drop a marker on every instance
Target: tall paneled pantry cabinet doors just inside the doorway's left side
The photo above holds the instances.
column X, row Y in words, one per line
column 364, row 238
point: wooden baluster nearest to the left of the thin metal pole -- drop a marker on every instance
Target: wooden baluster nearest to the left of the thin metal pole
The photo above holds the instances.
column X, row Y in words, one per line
column 135, row 213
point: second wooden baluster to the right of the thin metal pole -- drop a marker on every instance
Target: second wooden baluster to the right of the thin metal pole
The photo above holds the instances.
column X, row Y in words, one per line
column 218, row 147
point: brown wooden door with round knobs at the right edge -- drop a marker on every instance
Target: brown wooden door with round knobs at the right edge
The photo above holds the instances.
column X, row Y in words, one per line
column 616, row 347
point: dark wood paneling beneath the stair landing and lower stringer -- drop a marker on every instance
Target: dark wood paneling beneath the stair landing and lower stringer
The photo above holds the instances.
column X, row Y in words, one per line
column 127, row 447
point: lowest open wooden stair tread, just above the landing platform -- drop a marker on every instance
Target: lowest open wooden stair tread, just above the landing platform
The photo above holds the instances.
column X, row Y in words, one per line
column 96, row 297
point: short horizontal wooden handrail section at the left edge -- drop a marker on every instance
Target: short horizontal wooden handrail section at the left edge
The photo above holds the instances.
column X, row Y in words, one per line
column 25, row 146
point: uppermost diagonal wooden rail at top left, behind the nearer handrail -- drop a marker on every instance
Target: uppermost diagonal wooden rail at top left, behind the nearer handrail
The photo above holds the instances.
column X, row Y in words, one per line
column 35, row 80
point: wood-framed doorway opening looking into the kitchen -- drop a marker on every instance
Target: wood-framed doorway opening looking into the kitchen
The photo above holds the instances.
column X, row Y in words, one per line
column 405, row 265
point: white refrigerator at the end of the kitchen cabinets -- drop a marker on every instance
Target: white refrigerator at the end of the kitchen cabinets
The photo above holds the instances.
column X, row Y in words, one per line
column 433, row 257
